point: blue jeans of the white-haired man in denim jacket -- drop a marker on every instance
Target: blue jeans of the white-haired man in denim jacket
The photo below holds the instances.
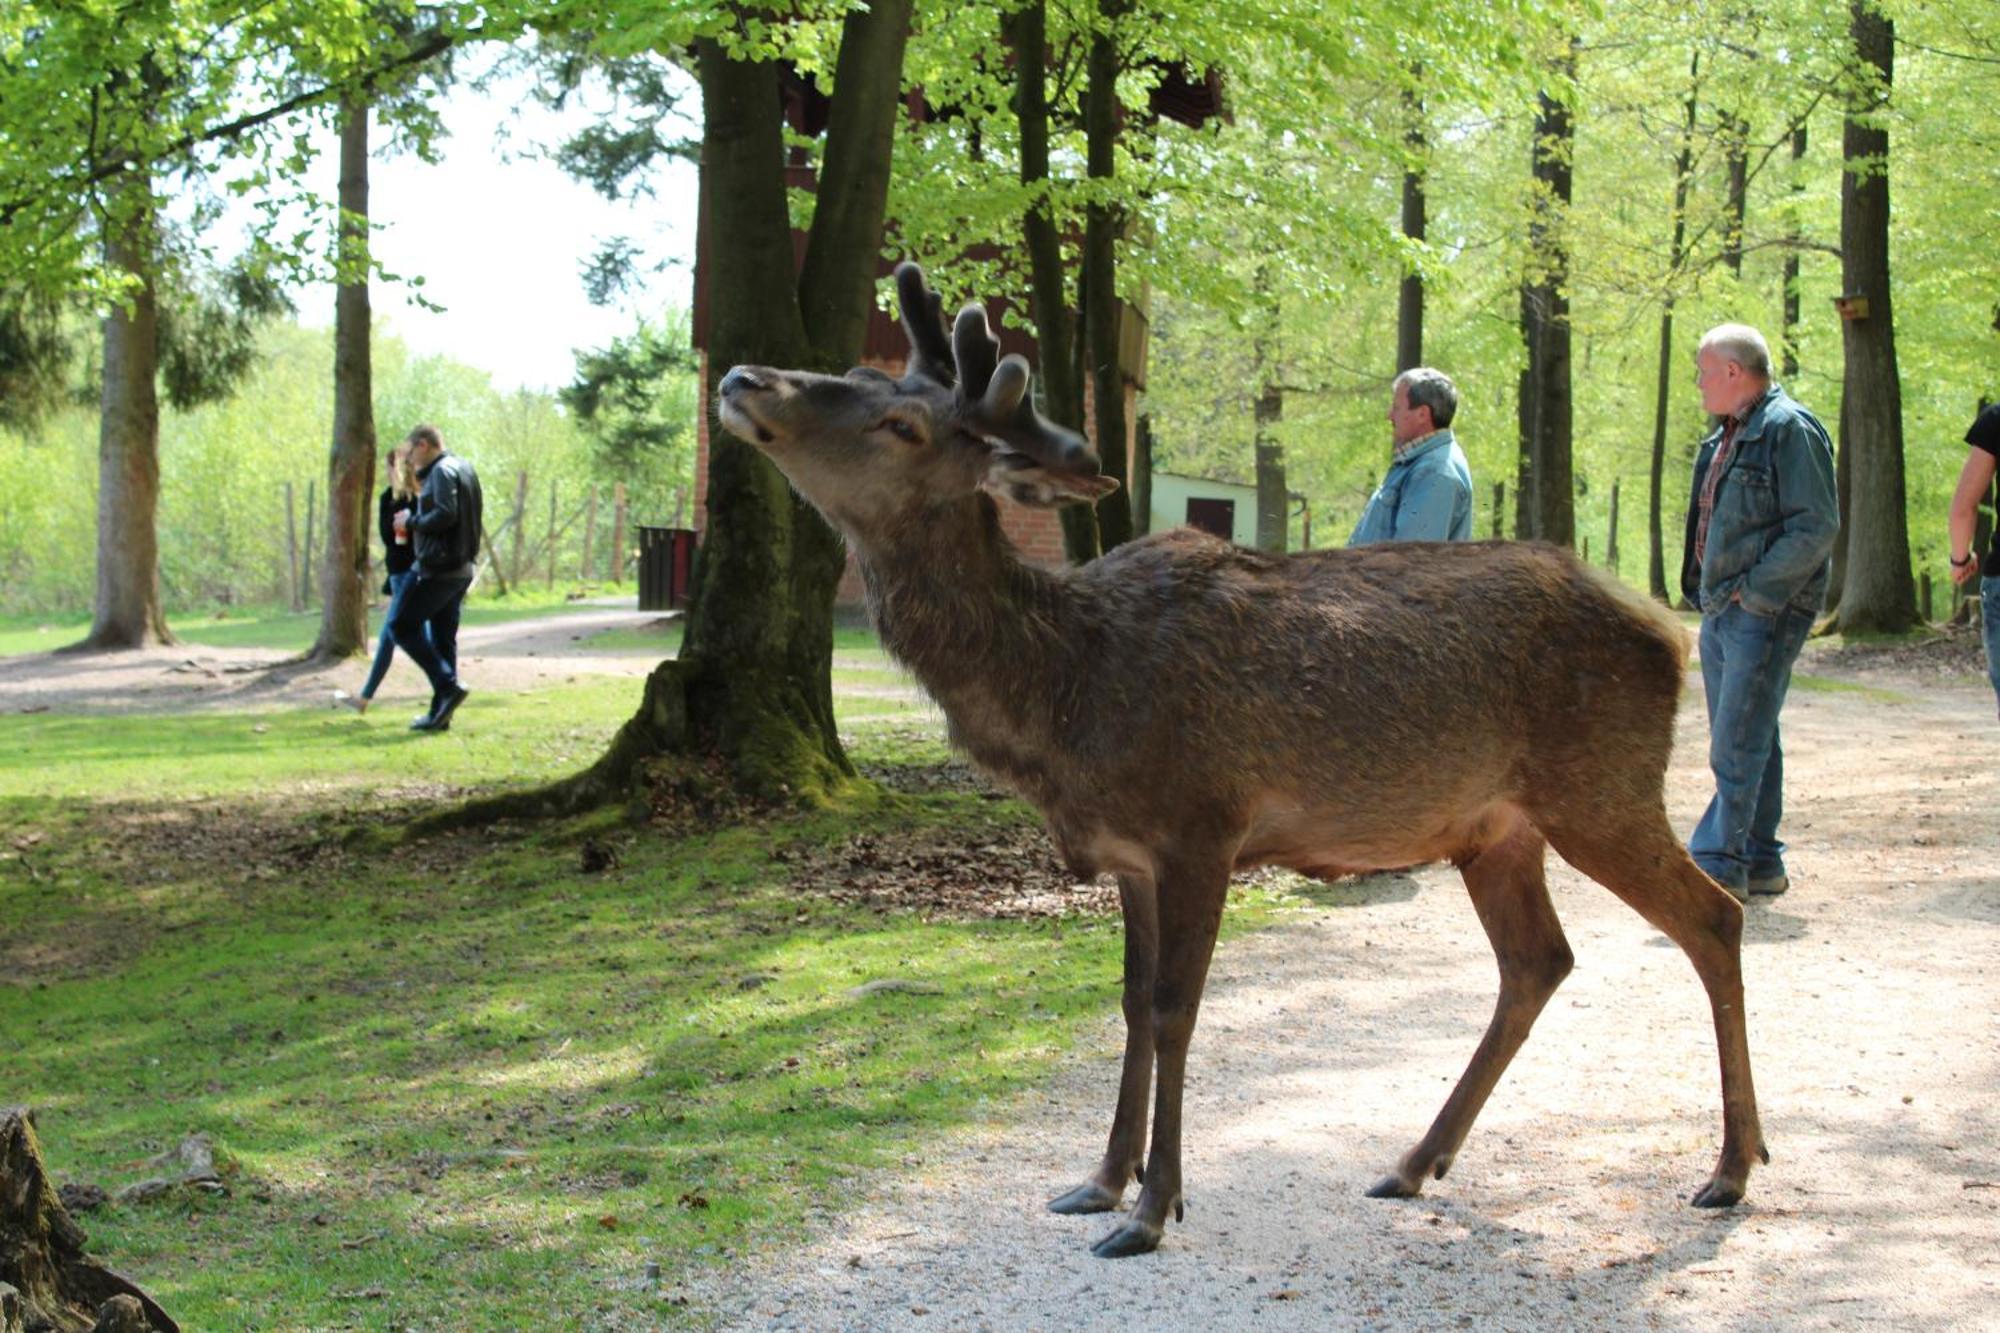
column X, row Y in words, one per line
column 1747, row 668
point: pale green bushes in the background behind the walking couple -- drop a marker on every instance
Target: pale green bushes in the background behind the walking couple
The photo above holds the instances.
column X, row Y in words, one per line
column 225, row 469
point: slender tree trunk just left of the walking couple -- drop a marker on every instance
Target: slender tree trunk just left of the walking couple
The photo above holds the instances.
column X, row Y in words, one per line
column 351, row 467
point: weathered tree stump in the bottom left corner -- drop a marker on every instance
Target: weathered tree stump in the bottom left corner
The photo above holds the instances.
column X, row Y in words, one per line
column 47, row 1284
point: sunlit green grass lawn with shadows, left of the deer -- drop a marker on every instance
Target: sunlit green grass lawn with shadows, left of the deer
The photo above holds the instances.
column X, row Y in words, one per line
column 463, row 1084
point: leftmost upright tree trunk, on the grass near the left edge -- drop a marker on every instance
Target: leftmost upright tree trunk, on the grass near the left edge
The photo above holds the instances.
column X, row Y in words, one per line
column 129, row 441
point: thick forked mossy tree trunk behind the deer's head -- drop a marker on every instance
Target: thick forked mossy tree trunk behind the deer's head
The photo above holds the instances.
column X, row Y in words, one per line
column 745, row 714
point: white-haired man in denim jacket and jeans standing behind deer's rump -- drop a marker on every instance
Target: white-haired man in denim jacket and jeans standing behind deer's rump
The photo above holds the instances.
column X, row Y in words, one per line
column 1759, row 549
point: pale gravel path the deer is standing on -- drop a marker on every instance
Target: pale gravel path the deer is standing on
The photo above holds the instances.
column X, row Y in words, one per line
column 1329, row 1044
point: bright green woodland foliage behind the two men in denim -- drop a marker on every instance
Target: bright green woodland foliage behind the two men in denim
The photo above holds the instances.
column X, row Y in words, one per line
column 1337, row 297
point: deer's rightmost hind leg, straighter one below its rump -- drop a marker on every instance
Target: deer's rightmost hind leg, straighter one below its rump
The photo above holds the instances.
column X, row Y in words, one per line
column 1645, row 864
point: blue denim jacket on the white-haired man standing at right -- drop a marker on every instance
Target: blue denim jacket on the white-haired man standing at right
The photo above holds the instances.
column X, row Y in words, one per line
column 1771, row 535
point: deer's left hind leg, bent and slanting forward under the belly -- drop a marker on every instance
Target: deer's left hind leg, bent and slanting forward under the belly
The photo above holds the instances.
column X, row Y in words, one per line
column 1511, row 898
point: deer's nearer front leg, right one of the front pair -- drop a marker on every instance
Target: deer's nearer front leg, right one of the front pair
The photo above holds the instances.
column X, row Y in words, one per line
column 1191, row 912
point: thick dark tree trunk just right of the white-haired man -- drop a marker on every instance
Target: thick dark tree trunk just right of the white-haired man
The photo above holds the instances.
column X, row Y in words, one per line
column 1877, row 593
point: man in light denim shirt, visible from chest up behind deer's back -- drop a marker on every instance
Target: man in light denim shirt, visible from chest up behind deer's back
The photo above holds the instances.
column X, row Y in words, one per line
column 1427, row 495
